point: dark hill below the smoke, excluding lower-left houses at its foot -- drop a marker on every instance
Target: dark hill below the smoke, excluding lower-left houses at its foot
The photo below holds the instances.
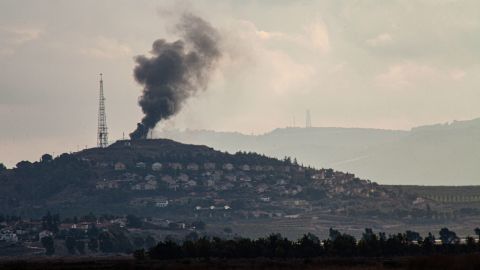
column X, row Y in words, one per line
column 165, row 179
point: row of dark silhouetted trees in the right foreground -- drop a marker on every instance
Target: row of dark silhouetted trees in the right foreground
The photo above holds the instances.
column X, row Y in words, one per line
column 337, row 245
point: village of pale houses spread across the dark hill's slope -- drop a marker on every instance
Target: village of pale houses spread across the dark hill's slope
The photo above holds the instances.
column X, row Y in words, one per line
column 244, row 185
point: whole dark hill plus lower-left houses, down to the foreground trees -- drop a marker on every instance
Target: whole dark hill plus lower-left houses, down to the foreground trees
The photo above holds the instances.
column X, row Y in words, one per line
column 161, row 188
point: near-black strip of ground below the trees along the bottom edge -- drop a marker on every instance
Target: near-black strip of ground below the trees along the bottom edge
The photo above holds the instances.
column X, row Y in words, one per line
column 440, row 262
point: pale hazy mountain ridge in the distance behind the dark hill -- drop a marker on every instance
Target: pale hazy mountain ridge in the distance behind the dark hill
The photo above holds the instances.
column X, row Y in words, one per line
column 440, row 154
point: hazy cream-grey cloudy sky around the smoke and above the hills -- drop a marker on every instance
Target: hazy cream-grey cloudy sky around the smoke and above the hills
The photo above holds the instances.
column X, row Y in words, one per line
column 384, row 64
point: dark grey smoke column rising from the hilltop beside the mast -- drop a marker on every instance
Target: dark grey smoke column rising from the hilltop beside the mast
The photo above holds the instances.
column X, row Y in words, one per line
column 175, row 71
